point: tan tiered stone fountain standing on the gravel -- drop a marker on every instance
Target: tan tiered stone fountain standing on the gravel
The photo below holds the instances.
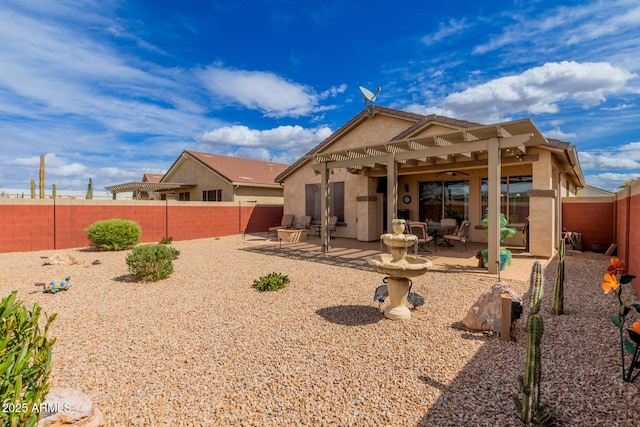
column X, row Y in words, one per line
column 399, row 267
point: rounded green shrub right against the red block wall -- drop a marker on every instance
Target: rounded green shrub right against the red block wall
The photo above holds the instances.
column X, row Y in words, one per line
column 114, row 234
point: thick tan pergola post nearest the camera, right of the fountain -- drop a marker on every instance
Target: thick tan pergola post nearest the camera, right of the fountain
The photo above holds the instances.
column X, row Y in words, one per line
column 493, row 232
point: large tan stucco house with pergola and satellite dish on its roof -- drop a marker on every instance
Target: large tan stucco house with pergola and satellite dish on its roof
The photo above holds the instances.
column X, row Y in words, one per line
column 441, row 167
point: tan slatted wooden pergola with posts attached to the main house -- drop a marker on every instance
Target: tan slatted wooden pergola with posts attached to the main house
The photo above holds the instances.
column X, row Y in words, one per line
column 432, row 153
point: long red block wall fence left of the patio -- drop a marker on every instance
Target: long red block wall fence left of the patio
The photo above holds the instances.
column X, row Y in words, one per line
column 40, row 224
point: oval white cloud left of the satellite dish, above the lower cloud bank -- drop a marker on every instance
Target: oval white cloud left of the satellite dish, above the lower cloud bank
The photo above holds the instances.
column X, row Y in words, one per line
column 263, row 91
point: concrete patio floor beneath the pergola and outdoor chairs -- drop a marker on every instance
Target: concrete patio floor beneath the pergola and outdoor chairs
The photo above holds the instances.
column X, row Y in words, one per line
column 345, row 250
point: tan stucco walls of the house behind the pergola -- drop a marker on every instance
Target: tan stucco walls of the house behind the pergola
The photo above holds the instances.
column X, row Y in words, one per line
column 359, row 215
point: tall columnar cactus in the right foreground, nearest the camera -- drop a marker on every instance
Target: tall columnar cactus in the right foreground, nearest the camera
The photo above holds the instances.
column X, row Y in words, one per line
column 529, row 409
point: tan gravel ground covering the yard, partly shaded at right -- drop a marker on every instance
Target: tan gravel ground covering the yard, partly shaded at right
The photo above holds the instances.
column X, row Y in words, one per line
column 204, row 348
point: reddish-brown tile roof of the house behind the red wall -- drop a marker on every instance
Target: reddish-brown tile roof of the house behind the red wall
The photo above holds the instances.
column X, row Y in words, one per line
column 238, row 169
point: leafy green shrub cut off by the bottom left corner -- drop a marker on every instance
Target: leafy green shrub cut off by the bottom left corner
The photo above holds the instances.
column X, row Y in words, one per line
column 25, row 362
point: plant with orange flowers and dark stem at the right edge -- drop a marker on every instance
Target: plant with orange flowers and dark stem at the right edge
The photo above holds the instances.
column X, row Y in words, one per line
column 632, row 344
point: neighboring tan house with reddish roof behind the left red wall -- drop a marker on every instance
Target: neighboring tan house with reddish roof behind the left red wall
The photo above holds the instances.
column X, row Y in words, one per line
column 198, row 176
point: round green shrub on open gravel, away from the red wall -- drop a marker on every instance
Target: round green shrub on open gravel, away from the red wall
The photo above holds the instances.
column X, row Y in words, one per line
column 150, row 263
